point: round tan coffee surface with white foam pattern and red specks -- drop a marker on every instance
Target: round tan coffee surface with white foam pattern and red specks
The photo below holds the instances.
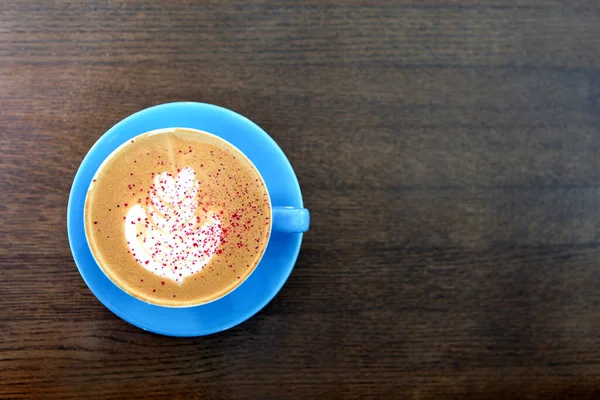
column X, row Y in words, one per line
column 202, row 208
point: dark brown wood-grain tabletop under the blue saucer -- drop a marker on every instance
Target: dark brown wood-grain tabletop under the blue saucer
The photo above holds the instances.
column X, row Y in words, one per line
column 449, row 151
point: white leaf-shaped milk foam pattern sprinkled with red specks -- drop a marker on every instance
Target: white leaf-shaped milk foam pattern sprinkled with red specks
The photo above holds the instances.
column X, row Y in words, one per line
column 167, row 239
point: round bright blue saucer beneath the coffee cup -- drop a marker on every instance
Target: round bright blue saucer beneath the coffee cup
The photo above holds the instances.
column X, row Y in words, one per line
column 268, row 277
